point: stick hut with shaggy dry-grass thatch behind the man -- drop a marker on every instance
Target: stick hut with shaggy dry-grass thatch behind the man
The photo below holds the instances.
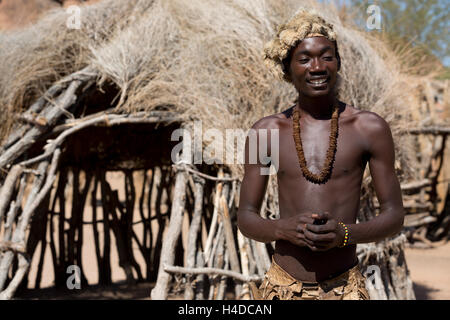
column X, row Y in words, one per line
column 79, row 105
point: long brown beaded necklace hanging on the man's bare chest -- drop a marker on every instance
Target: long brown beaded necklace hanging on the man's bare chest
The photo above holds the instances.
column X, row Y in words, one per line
column 325, row 173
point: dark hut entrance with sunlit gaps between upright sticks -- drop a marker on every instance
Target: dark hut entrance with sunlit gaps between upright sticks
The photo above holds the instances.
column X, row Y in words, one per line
column 105, row 215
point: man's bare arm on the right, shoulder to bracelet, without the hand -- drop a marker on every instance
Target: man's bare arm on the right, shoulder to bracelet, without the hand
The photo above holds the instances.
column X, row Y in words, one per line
column 387, row 187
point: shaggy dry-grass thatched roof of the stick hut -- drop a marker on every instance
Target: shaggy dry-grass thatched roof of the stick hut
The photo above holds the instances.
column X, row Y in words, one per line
column 201, row 59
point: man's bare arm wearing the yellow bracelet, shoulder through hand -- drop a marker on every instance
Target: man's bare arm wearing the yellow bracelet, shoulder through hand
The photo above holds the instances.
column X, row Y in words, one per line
column 389, row 221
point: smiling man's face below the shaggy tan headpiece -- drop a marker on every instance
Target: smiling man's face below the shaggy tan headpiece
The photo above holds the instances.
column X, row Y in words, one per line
column 313, row 67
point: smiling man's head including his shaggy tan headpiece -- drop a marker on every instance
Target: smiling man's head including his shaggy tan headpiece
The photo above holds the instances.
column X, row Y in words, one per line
column 304, row 53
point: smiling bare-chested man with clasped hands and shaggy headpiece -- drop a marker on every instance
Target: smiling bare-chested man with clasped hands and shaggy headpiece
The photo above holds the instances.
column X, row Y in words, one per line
column 324, row 147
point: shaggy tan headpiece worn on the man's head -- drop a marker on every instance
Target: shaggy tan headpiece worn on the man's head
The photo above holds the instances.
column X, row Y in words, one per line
column 304, row 24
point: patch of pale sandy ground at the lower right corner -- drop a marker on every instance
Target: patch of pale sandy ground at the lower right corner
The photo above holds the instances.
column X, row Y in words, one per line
column 429, row 270
